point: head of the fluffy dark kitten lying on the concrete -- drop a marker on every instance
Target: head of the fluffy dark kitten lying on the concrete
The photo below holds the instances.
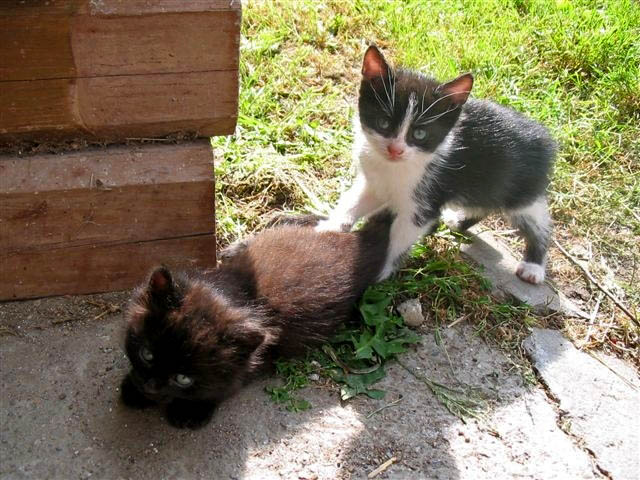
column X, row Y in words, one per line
column 184, row 342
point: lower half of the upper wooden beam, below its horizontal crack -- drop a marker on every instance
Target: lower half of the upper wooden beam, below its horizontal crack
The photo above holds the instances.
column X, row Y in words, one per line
column 119, row 107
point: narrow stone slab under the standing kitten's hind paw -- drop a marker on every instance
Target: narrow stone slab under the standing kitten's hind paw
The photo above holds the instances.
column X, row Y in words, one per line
column 499, row 267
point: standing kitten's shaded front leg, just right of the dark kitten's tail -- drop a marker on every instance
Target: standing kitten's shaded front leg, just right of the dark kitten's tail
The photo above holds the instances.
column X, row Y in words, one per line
column 405, row 231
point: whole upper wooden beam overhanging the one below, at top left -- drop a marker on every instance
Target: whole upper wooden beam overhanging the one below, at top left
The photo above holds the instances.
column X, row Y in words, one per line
column 110, row 70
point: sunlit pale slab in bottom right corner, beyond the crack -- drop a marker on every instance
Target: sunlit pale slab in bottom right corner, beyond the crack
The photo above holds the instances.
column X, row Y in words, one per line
column 600, row 402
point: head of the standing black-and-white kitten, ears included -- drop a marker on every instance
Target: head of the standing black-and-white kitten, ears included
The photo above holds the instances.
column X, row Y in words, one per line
column 405, row 115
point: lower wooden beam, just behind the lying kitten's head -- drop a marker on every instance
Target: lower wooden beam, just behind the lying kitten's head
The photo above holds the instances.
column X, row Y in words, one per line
column 98, row 220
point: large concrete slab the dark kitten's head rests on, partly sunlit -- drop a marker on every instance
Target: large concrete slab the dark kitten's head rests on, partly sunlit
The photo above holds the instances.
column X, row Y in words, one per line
column 60, row 416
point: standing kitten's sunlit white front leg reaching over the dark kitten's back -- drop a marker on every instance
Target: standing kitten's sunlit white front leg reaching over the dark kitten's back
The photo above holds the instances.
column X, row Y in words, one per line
column 359, row 200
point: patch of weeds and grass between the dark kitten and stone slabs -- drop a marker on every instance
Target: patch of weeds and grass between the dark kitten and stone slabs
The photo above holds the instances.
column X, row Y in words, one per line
column 357, row 355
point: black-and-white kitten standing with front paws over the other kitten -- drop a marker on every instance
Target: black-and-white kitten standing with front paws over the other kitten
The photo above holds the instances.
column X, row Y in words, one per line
column 424, row 149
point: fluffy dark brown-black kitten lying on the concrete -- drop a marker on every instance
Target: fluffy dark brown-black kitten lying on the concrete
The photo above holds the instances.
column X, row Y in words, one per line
column 193, row 340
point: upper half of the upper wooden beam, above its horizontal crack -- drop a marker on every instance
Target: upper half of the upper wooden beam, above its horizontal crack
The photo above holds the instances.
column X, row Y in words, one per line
column 37, row 48
